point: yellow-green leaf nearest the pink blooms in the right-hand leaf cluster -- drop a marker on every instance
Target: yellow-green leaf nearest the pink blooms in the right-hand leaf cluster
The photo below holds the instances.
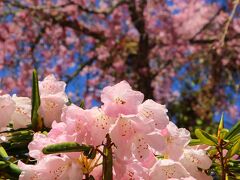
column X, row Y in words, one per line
column 206, row 138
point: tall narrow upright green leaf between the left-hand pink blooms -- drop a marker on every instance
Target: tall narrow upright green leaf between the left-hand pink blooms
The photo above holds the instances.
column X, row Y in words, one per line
column 37, row 122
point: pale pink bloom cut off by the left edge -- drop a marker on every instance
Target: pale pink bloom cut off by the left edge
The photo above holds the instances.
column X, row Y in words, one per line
column 7, row 107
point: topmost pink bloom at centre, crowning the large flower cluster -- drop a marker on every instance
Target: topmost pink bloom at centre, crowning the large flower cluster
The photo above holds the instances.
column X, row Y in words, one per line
column 120, row 99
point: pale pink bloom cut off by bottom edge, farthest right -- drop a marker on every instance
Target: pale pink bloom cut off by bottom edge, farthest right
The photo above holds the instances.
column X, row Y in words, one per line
column 166, row 169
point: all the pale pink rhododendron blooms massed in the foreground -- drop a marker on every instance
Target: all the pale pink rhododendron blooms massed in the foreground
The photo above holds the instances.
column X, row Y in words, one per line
column 145, row 144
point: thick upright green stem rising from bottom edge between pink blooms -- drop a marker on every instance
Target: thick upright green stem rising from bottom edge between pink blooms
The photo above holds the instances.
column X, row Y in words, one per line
column 107, row 159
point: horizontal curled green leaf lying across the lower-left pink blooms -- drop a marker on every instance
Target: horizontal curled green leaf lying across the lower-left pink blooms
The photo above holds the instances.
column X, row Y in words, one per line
column 66, row 147
